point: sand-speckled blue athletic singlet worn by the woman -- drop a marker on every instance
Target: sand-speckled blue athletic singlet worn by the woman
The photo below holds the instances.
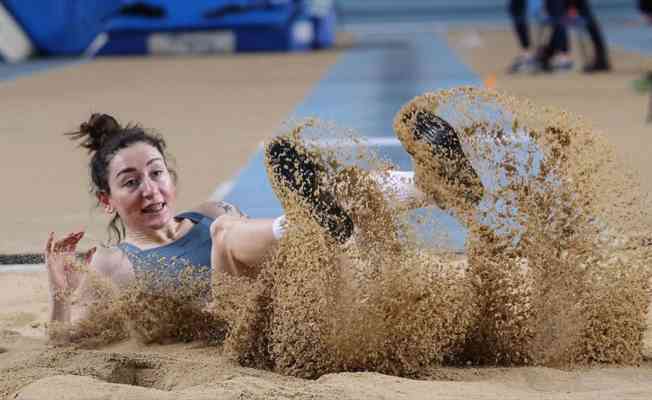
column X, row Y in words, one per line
column 191, row 252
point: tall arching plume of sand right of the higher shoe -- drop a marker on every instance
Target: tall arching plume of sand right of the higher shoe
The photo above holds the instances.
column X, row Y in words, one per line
column 568, row 257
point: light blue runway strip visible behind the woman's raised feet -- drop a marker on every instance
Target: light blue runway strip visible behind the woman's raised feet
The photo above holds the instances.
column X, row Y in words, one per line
column 363, row 91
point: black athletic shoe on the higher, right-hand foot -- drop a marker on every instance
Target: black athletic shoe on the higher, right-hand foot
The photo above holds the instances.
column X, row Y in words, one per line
column 444, row 144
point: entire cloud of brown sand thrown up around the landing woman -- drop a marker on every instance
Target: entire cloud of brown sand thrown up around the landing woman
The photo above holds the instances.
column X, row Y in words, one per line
column 557, row 270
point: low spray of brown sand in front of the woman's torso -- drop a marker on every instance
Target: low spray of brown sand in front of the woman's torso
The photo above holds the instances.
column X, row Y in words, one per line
column 153, row 309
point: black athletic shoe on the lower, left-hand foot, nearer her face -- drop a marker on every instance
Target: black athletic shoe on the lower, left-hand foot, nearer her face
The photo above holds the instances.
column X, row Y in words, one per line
column 292, row 168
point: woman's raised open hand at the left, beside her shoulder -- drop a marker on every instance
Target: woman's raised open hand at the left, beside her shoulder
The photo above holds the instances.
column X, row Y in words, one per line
column 65, row 271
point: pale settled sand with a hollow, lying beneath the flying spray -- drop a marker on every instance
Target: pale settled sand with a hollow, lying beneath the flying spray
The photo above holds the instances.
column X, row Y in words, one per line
column 184, row 372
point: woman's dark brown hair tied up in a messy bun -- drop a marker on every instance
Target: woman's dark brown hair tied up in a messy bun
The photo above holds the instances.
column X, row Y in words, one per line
column 103, row 137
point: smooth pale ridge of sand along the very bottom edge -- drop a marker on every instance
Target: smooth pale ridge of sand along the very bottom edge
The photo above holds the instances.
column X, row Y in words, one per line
column 530, row 383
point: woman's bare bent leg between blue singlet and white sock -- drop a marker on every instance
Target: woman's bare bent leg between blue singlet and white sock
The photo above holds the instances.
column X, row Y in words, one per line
column 240, row 244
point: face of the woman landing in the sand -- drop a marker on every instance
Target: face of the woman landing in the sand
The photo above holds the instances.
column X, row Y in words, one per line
column 143, row 192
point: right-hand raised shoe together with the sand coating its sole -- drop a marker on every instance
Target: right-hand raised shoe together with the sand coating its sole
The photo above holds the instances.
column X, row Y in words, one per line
column 435, row 146
